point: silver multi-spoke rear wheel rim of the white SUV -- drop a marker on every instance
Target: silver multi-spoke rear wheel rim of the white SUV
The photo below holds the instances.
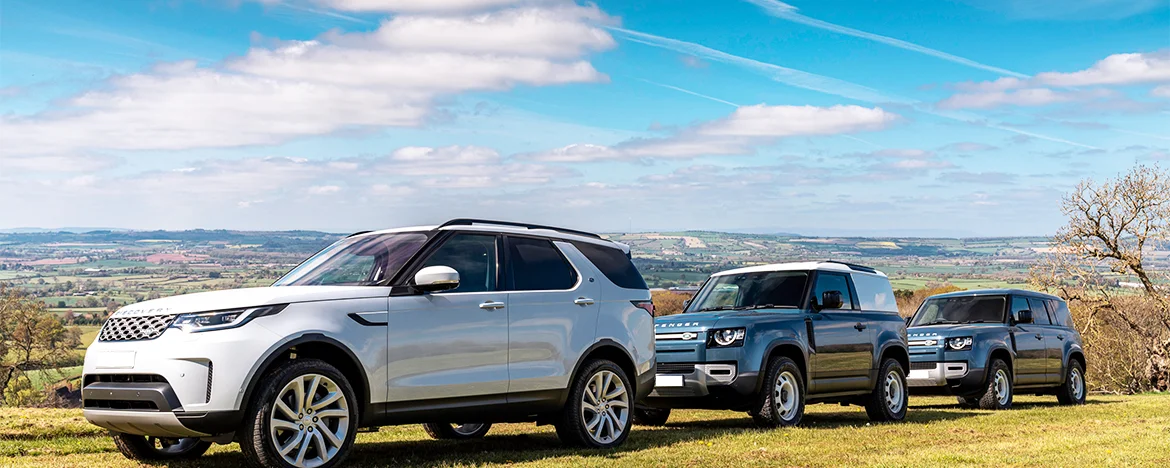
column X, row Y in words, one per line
column 605, row 408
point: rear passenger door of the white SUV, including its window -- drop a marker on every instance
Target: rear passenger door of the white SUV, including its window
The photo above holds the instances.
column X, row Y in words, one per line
column 553, row 313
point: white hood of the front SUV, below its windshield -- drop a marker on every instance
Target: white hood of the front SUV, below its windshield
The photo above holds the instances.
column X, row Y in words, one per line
column 249, row 298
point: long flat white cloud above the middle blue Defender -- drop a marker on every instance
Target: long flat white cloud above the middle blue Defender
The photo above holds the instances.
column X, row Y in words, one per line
column 739, row 134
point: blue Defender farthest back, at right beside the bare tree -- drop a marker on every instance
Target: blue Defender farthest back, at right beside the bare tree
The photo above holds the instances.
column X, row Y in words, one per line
column 986, row 346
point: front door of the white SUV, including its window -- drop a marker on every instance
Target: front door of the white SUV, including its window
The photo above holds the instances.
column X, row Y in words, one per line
column 452, row 345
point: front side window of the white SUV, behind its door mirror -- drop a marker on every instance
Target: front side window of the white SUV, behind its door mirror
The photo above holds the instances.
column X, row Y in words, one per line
column 474, row 257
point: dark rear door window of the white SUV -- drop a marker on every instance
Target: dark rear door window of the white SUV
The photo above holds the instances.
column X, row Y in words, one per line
column 536, row 265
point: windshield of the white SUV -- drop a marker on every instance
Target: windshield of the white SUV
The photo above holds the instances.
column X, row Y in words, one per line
column 357, row 261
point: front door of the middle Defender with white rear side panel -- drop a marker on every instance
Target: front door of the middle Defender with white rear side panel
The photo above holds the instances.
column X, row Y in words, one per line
column 843, row 342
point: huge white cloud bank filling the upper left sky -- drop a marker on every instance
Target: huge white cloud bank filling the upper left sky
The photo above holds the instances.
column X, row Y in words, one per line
column 393, row 77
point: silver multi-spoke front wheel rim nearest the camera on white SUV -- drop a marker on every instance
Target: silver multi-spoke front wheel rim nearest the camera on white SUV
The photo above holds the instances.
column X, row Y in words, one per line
column 309, row 422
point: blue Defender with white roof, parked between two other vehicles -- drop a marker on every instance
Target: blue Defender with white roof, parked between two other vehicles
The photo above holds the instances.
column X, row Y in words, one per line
column 768, row 340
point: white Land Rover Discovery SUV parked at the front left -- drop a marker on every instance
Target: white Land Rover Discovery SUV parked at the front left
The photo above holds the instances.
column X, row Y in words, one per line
column 471, row 321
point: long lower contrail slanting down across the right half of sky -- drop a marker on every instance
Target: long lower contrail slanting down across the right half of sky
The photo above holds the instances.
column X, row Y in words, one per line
column 820, row 84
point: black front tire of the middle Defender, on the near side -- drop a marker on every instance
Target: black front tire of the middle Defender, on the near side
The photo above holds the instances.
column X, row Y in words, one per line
column 782, row 401
